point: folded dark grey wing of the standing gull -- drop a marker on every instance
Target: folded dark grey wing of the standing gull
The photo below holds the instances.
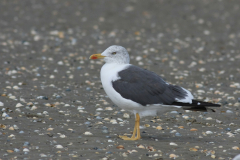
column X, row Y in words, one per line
column 145, row 87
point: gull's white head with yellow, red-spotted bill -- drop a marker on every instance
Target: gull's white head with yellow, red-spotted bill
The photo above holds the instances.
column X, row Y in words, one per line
column 113, row 54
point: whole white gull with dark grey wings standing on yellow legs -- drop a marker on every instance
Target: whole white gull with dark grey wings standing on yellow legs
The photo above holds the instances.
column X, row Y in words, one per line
column 140, row 91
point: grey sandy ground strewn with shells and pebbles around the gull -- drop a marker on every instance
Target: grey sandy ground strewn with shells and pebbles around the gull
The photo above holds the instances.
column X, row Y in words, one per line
column 54, row 107
